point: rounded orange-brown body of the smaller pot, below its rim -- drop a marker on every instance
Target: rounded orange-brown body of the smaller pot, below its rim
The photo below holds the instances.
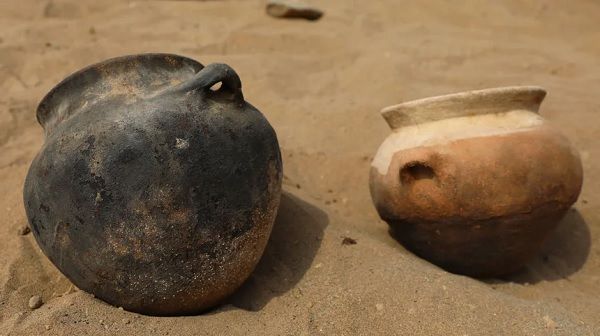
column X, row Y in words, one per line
column 479, row 206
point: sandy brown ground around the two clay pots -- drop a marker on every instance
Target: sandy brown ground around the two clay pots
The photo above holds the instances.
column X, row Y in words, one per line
column 321, row 84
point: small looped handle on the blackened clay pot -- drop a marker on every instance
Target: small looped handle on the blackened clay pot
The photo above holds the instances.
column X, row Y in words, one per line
column 213, row 74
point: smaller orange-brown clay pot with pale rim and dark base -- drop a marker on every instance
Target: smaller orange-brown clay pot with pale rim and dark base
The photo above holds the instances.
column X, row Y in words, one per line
column 474, row 182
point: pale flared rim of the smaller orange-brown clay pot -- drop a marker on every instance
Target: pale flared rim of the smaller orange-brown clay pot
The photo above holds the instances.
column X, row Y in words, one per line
column 463, row 104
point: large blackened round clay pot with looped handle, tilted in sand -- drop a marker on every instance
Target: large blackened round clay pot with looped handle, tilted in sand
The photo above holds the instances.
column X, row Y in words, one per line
column 152, row 191
